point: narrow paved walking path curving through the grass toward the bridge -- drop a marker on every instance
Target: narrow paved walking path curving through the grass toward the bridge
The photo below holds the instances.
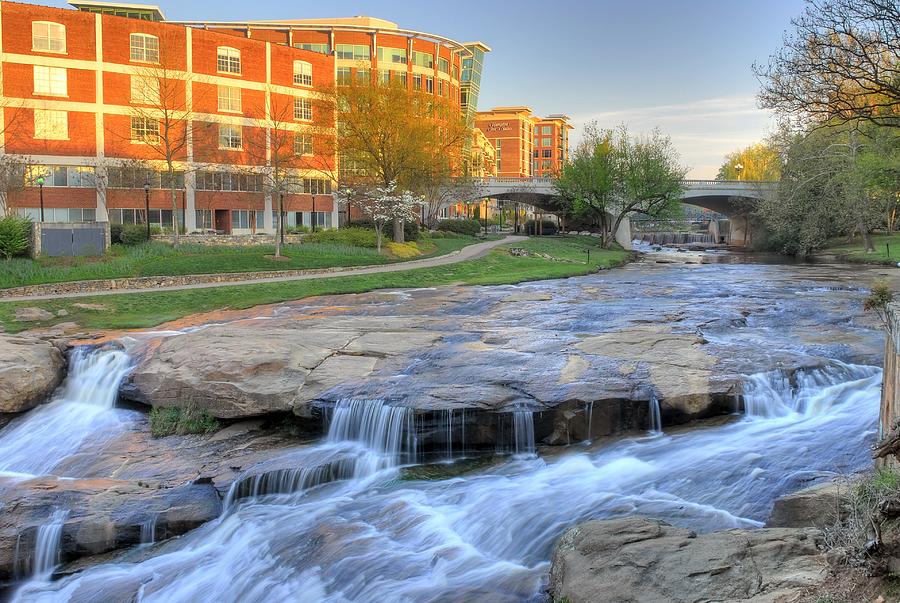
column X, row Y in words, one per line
column 469, row 252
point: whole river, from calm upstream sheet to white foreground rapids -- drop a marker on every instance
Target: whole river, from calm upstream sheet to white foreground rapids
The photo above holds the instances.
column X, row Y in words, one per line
column 352, row 523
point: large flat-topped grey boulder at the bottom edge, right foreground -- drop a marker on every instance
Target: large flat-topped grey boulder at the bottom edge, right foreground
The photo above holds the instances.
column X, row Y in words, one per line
column 643, row 560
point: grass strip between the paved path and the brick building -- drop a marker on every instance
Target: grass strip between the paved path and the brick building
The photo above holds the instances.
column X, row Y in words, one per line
column 161, row 259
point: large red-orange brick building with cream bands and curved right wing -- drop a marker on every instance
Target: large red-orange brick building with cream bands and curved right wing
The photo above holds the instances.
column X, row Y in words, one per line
column 76, row 88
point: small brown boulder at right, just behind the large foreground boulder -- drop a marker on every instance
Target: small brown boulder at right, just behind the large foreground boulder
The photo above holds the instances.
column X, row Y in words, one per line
column 819, row 506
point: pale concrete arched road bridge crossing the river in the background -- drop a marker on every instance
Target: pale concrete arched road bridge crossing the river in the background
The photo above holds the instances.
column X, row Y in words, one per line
column 732, row 198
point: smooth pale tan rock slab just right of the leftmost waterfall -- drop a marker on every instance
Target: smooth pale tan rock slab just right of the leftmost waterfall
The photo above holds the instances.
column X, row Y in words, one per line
column 236, row 370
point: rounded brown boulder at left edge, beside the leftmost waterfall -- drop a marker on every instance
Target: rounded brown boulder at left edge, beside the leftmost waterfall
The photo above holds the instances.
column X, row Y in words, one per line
column 30, row 369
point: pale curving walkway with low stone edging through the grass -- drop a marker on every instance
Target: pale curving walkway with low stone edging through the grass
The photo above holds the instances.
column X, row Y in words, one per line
column 121, row 286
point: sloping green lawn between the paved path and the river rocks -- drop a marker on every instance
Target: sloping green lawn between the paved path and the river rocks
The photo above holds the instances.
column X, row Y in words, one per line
column 138, row 310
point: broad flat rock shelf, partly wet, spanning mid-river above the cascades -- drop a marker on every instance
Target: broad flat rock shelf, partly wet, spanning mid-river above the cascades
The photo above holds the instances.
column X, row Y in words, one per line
column 565, row 349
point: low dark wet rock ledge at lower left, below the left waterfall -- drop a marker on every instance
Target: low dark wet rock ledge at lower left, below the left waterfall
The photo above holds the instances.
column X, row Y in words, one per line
column 169, row 485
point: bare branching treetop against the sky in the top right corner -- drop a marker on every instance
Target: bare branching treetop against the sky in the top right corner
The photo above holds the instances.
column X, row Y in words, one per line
column 841, row 63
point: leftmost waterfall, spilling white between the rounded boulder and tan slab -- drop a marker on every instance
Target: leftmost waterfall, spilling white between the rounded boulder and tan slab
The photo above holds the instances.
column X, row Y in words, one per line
column 36, row 442
